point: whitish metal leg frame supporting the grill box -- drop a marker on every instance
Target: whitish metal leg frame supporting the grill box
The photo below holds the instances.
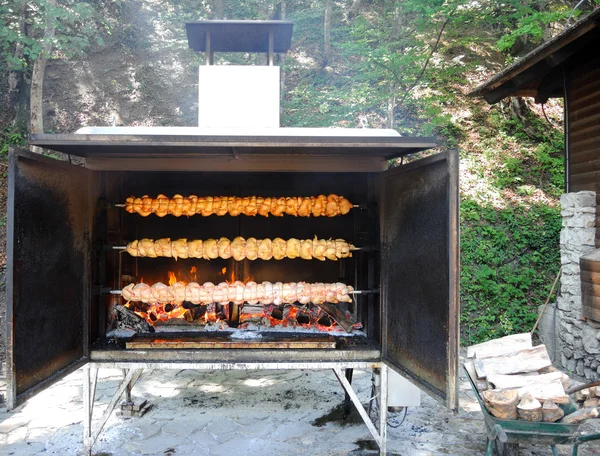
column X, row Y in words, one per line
column 133, row 370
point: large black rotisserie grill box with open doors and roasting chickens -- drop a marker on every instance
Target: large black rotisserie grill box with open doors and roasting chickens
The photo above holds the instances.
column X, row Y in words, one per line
column 363, row 276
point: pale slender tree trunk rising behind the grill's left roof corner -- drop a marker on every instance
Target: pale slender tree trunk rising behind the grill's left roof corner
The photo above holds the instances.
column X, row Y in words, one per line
column 36, row 113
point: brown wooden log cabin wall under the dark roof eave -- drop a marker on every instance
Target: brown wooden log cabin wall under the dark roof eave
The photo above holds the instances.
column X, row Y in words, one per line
column 584, row 132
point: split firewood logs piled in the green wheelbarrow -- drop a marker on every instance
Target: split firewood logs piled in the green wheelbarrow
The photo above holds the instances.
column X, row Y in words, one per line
column 517, row 381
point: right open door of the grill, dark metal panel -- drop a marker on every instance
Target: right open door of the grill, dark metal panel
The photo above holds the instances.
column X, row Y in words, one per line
column 420, row 273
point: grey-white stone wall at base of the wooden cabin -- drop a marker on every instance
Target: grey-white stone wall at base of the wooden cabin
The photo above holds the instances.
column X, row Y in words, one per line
column 578, row 341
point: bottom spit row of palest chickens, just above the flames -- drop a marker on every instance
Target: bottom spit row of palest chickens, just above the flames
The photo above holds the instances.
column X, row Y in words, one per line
column 239, row 293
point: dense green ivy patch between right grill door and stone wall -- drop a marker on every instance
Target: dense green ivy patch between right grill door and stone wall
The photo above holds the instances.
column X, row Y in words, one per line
column 509, row 259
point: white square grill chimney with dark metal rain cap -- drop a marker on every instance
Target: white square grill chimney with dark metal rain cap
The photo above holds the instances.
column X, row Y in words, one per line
column 239, row 96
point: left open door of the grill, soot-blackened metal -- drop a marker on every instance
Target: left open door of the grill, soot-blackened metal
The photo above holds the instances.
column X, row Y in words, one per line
column 47, row 280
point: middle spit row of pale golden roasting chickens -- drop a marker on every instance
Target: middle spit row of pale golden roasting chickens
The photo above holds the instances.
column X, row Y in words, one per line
column 241, row 248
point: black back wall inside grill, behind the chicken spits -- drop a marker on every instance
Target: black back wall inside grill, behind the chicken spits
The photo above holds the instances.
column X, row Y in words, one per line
column 358, row 227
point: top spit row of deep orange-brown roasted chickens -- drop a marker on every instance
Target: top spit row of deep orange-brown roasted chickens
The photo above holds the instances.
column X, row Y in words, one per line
column 298, row 206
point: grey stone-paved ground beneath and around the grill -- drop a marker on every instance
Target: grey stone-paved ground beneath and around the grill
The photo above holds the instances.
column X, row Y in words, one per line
column 229, row 413
